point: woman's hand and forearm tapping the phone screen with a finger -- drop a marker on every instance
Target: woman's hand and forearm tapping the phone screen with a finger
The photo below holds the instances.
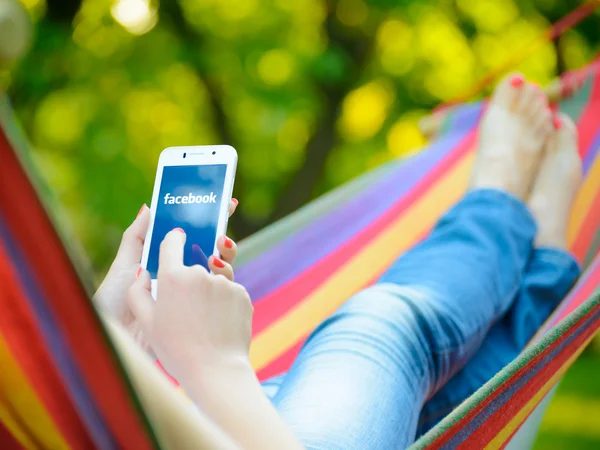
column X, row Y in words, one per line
column 200, row 327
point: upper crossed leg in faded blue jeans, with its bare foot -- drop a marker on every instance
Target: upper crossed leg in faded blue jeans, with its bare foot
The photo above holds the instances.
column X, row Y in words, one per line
column 363, row 375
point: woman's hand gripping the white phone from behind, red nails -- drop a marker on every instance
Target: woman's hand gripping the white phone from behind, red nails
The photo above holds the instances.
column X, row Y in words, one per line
column 111, row 296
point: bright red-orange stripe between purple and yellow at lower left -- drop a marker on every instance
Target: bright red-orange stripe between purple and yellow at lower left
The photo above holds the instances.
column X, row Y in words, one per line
column 27, row 347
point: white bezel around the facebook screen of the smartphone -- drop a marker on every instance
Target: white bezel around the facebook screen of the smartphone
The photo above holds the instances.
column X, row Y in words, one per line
column 196, row 155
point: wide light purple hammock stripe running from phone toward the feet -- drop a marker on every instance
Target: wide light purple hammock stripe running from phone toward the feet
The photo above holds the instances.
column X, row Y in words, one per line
column 292, row 256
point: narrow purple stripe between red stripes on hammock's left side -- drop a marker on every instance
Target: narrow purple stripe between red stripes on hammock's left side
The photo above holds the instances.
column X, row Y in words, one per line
column 61, row 356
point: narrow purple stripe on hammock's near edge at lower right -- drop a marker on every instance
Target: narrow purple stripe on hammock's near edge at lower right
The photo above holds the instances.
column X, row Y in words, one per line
column 479, row 420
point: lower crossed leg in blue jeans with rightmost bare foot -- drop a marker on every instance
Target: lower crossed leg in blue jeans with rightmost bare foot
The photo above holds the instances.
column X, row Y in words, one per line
column 550, row 275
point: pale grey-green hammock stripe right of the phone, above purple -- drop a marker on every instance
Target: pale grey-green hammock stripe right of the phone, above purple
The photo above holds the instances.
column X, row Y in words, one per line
column 272, row 235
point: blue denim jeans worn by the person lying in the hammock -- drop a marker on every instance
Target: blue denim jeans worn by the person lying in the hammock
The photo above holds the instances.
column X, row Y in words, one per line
column 363, row 376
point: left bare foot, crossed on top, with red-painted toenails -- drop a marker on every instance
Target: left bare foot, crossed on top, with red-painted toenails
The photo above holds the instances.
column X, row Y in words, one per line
column 512, row 135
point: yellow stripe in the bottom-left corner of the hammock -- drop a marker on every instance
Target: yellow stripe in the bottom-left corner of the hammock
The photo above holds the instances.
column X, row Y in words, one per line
column 19, row 405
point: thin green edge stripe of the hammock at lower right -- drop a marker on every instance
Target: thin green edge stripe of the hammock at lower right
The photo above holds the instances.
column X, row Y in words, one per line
column 509, row 371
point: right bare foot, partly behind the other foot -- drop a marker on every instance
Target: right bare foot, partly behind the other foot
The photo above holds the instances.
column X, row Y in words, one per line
column 557, row 183
